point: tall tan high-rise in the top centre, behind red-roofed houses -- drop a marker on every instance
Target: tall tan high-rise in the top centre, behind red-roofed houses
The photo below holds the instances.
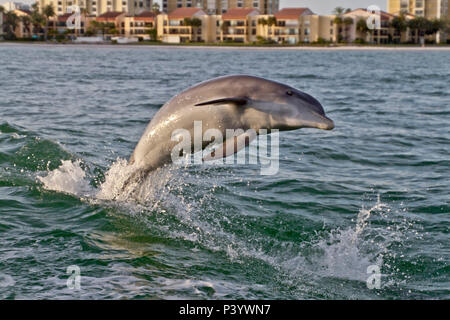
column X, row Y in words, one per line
column 222, row 6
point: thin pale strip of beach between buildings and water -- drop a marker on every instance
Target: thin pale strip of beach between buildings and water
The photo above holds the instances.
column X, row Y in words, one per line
column 232, row 47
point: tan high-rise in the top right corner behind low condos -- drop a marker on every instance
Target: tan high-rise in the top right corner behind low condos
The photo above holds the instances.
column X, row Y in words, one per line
column 429, row 9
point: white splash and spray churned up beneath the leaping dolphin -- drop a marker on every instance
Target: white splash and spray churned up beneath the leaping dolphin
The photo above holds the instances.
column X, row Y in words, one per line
column 175, row 204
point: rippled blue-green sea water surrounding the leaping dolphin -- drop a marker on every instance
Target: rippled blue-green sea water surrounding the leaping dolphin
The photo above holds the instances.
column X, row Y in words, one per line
column 373, row 194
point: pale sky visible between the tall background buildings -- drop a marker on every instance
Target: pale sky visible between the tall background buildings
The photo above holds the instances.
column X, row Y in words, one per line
column 317, row 6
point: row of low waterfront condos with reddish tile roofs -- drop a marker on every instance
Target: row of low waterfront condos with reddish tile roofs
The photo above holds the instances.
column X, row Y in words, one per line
column 244, row 25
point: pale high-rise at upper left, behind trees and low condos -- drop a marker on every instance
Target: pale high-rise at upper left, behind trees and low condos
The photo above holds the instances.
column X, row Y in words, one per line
column 98, row 7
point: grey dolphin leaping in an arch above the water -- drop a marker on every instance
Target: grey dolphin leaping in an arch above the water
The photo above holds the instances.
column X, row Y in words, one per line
column 229, row 102
